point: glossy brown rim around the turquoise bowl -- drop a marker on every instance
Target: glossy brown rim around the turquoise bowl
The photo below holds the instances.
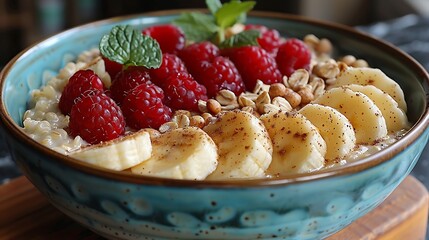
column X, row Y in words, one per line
column 371, row 161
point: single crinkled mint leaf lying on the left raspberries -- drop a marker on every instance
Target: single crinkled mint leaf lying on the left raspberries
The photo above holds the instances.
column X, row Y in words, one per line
column 130, row 47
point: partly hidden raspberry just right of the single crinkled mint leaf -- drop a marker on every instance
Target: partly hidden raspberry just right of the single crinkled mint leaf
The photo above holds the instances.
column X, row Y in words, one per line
column 171, row 64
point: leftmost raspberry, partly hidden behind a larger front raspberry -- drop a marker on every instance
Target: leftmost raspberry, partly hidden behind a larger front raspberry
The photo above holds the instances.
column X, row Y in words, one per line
column 83, row 82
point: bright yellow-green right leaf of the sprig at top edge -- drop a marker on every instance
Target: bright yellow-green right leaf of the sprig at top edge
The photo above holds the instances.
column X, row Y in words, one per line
column 230, row 12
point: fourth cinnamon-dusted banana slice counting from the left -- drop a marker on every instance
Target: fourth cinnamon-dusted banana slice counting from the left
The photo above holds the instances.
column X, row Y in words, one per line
column 297, row 145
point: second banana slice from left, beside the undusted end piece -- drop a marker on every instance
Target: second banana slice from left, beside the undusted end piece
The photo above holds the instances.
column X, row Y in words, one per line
column 182, row 153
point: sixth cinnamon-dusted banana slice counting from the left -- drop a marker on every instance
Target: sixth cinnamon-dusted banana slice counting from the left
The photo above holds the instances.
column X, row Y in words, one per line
column 366, row 118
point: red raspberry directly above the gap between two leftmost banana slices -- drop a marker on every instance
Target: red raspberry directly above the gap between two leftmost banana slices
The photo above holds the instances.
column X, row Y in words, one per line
column 143, row 107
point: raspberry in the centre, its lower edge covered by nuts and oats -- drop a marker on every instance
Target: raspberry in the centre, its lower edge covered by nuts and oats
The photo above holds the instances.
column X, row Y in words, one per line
column 220, row 74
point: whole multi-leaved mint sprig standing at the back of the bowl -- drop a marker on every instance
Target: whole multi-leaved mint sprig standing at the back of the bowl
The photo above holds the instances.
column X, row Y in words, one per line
column 202, row 27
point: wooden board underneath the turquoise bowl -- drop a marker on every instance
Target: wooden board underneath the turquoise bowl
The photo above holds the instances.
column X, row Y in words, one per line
column 26, row 214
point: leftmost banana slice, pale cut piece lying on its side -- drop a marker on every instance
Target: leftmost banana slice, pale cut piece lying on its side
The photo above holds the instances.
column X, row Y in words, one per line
column 118, row 154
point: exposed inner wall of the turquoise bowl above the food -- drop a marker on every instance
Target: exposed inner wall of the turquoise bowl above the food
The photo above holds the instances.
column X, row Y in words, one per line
column 30, row 69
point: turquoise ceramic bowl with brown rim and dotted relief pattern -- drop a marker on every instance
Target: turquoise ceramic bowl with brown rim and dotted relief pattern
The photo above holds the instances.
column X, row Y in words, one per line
column 119, row 205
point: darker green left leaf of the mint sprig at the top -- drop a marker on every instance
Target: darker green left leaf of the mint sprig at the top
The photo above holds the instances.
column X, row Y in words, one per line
column 196, row 26
